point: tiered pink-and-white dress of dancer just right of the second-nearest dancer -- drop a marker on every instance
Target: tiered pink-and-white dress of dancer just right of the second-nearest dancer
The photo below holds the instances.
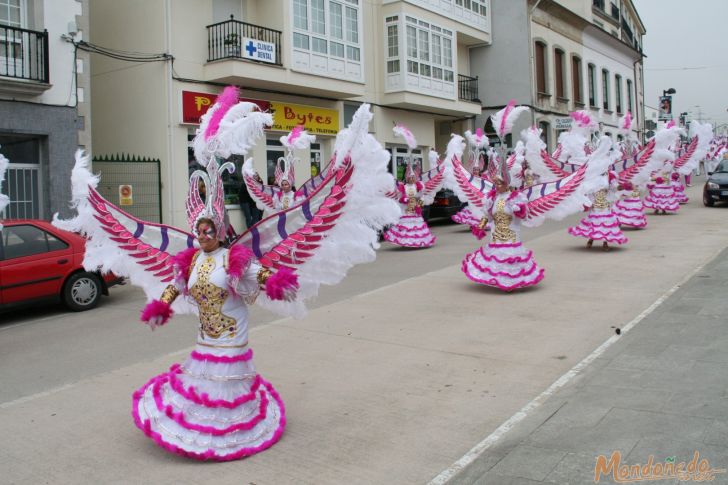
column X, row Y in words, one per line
column 601, row 224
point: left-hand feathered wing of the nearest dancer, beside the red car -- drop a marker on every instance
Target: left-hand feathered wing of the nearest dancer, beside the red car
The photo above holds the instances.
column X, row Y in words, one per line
column 121, row 243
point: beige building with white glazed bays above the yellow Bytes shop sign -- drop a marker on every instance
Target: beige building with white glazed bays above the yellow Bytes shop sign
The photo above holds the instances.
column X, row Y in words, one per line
column 309, row 61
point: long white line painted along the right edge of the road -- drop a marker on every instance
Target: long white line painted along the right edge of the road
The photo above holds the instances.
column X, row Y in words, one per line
column 446, row 475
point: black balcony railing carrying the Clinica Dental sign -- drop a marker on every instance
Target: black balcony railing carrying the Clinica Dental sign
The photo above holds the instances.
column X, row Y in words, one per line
column 226, row 40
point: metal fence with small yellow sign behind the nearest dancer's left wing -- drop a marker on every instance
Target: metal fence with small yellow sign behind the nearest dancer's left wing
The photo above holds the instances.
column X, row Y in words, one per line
column 132, row 183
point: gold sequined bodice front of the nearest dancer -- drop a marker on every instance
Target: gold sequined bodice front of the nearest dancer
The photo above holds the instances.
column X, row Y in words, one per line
column 210, row 300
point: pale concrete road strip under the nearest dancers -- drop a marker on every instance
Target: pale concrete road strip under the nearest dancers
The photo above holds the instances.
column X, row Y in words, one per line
column 393, row 385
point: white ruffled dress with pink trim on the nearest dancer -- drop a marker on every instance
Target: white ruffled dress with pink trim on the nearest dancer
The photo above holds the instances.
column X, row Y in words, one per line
column 214, row 406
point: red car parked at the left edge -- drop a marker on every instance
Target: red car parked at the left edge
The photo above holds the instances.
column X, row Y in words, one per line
column 39, row 261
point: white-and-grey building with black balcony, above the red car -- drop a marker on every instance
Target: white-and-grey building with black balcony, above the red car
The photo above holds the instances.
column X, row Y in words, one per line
column 44, row 101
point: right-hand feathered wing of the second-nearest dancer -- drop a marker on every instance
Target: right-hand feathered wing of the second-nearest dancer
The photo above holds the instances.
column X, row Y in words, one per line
column 563, row 197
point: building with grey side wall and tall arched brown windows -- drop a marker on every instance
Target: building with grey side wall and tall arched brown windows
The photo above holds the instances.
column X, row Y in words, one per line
column 559, row 56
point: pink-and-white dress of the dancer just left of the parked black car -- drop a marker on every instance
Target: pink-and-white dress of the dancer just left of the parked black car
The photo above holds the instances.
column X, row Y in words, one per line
column 411, row 230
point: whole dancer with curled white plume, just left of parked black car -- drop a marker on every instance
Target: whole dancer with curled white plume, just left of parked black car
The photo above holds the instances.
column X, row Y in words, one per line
column 411, row 231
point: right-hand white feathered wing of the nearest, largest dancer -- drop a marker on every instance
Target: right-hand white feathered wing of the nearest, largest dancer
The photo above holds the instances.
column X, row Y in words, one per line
column 336, row 227
